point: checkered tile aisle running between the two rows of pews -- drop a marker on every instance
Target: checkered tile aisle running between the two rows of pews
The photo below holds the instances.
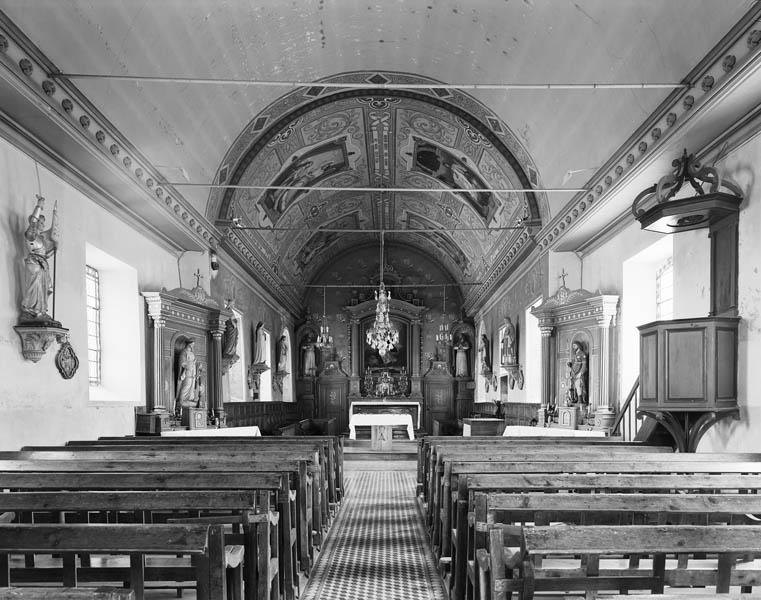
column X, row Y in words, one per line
column 377, row 548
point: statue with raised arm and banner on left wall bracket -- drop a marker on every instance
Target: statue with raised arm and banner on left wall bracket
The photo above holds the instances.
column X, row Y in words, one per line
column 38, row 283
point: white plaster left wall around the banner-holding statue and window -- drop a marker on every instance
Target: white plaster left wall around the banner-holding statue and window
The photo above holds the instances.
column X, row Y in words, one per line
column 36, row 404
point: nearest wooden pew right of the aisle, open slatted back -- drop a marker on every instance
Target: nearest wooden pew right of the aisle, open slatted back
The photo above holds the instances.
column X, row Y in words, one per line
column 513, row 570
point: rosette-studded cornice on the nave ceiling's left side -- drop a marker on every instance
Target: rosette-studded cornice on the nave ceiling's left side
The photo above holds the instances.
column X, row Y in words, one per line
column 31, row 70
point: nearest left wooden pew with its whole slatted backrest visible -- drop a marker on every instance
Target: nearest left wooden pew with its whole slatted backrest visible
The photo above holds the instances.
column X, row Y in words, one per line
column 204, row 543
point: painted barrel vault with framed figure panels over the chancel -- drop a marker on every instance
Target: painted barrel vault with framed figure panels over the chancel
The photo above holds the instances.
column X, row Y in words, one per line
column 376, row 139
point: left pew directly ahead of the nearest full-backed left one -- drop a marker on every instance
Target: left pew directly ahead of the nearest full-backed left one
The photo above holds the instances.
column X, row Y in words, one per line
column 249, row 509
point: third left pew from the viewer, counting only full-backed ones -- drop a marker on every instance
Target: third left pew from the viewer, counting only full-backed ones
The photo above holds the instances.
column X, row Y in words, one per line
column 133, row 482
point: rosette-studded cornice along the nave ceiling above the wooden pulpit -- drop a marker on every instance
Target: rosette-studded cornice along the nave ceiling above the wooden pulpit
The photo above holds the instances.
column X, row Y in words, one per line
column 709, row 80
